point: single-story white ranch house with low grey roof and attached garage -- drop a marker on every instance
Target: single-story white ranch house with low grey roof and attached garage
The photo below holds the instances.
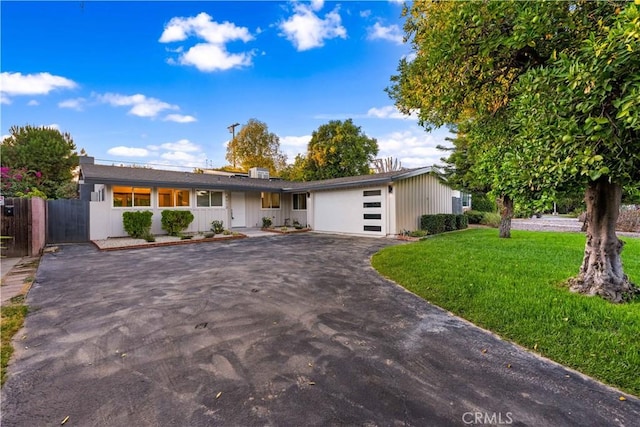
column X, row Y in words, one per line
column 372, row 205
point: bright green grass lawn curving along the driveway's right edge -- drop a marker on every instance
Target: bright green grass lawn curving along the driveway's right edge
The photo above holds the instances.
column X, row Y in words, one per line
column 515, row 287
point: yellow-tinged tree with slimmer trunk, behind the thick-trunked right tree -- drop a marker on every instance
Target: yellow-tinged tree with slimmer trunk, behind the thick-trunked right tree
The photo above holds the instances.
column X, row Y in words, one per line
column 468, row 56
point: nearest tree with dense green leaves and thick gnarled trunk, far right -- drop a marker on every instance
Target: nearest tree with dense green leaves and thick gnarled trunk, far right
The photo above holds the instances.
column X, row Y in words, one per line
column 586, row 133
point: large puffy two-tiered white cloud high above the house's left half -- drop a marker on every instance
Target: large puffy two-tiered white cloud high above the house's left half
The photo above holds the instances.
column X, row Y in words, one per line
column 211, row 55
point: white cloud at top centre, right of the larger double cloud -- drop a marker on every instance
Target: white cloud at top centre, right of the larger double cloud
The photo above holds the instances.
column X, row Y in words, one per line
column 307, row 31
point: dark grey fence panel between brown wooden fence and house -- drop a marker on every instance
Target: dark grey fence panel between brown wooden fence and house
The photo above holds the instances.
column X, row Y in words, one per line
column 67, row 221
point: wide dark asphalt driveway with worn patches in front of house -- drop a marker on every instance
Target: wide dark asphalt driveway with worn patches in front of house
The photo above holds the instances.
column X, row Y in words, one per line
column 286, row 331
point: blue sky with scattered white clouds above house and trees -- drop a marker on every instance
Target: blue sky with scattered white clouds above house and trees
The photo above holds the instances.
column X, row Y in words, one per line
column 158, row 83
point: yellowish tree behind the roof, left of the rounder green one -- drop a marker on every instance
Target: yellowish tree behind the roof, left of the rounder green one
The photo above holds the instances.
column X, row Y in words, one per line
column 255, row 146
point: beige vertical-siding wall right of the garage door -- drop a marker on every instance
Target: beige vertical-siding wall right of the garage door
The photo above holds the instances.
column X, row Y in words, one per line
column 417, row 196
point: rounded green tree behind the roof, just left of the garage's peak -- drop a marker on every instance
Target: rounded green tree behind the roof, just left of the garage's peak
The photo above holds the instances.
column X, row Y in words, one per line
column 338, row 149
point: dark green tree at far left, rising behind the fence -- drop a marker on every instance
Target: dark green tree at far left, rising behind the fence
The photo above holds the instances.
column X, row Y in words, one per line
column 44, row 152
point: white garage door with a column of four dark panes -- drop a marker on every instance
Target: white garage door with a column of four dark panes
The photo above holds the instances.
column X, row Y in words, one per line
column 360, row 211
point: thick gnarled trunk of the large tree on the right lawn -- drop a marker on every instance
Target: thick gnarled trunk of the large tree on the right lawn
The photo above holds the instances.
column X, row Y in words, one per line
column 601, row 271
